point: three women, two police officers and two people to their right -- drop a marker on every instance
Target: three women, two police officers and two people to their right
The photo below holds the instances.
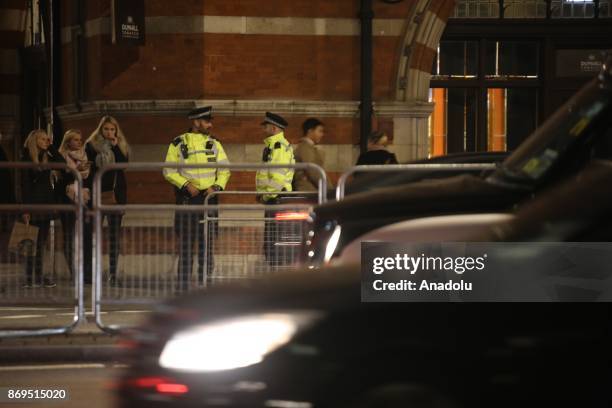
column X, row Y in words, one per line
column 107, row 144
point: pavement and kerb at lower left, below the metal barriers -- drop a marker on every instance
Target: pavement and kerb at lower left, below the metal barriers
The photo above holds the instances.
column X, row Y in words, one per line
column 53, row 309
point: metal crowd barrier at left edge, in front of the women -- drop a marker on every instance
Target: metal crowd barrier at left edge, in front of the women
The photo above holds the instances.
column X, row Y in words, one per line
column 32, row 299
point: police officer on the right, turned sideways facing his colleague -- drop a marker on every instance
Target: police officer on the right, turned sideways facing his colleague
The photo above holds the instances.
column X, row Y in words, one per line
column 271, row 182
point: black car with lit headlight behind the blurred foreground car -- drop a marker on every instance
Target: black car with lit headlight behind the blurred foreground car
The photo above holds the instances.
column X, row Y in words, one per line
column 556, row 150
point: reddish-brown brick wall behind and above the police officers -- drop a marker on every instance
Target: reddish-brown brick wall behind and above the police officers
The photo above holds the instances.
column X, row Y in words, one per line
column 302, row 50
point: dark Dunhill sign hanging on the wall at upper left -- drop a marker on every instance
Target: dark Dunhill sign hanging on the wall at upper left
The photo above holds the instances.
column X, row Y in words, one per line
column 128, row 20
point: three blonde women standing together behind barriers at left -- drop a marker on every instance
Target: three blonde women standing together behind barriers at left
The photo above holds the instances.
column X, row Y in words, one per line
column 40, row 185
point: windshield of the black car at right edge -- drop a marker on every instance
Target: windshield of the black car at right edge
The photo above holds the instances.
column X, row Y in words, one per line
column 551, row 141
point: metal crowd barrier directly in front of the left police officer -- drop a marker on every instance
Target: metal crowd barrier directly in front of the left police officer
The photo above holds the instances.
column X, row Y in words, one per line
column 151, row 256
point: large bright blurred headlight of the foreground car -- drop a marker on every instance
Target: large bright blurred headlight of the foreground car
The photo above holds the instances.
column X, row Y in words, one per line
column 232, row 343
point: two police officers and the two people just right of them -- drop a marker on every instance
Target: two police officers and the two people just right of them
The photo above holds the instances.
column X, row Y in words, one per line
column 192, row 185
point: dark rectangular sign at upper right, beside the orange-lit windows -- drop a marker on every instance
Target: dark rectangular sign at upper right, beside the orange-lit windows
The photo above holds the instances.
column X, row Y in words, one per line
column 578, row 63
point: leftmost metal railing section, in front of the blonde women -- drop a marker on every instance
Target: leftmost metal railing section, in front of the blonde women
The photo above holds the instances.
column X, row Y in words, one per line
column 22, row 300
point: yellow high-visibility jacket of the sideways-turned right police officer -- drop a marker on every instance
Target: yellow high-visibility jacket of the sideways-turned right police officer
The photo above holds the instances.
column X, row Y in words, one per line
column 277, row 150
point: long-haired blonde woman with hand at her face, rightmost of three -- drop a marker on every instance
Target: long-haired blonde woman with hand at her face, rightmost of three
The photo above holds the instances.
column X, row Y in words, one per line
column 108, row 145
